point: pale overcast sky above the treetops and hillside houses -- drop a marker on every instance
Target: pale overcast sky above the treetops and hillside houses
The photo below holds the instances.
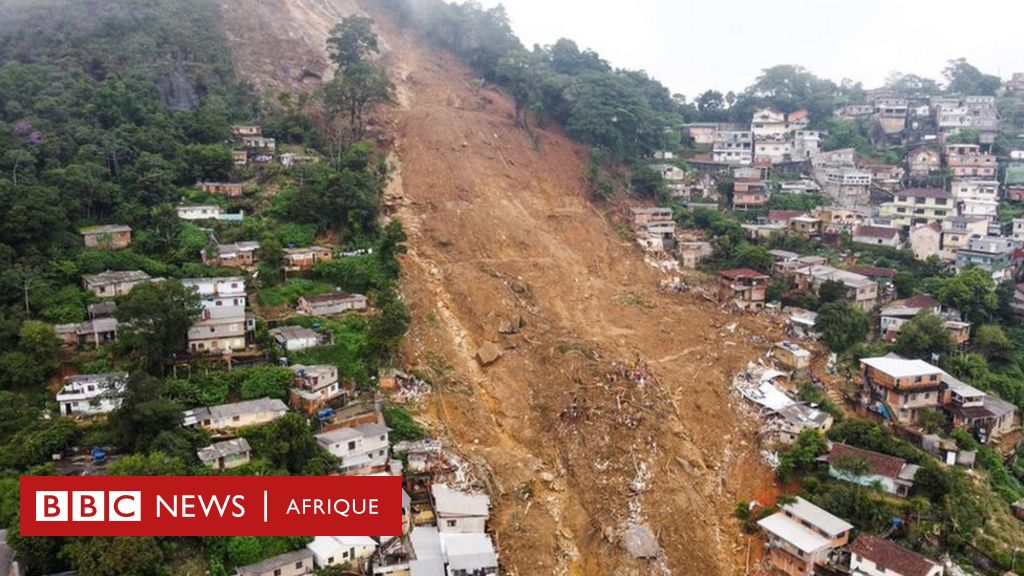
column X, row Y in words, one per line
column 692, row 46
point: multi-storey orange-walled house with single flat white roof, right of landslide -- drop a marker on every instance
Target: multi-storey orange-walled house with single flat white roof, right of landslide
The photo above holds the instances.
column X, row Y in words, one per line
column 905, row 387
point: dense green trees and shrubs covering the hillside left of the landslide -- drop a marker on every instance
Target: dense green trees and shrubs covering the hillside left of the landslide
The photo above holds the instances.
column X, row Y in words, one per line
column 110, row 112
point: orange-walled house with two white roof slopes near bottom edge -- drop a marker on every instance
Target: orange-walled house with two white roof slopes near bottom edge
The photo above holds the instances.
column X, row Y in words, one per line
column 801, row 537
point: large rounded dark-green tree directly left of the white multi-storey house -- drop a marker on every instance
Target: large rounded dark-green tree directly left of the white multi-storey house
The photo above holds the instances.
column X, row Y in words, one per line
column 156, row 317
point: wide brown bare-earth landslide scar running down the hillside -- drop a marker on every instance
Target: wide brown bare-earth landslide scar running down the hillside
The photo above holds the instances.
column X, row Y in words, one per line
column 611, row 407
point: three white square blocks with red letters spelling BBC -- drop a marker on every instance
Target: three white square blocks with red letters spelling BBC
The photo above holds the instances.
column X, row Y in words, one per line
column 89, row 506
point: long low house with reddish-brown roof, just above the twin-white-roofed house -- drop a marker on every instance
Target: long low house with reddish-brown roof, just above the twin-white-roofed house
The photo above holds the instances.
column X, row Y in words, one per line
column 891, row 474
